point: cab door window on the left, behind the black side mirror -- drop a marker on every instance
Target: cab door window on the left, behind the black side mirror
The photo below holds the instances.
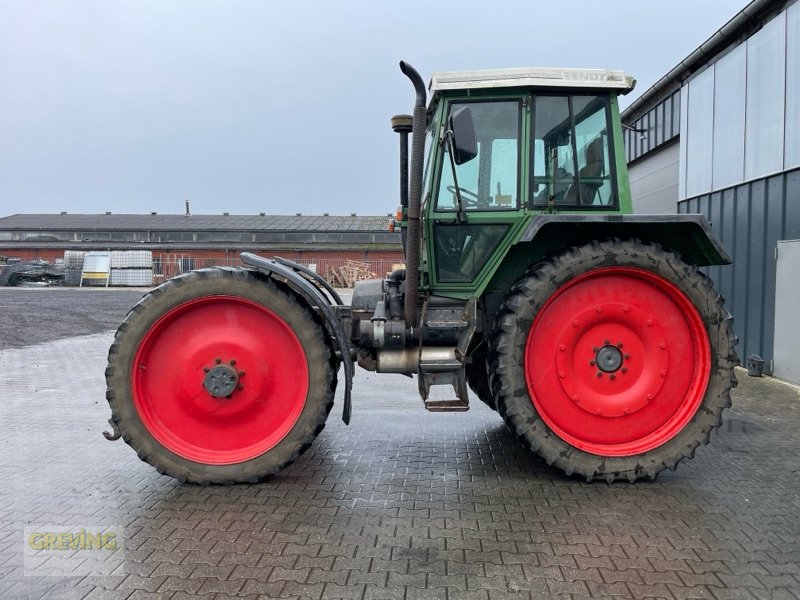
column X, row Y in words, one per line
column 490, row 181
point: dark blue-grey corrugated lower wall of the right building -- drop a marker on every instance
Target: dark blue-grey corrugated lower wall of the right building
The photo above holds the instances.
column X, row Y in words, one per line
column 750, row 219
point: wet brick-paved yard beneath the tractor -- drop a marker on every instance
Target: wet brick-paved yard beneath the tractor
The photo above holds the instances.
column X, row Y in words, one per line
column 401, row 504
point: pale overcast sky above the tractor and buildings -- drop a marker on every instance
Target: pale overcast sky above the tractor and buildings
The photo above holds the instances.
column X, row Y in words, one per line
column 277, row 107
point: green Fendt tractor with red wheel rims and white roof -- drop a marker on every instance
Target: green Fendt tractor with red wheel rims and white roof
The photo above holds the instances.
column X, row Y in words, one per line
column 589, row 329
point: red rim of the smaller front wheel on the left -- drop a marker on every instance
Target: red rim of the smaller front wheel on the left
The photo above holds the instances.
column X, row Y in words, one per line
column 261, row 360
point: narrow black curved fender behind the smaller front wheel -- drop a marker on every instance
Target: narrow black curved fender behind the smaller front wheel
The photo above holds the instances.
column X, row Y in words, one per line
column 309, row 289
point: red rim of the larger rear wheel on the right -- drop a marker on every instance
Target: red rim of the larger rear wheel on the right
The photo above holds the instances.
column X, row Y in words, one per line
column 617, row 361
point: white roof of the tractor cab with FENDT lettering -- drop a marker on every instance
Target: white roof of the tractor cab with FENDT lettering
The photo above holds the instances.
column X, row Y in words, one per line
column 532, row 77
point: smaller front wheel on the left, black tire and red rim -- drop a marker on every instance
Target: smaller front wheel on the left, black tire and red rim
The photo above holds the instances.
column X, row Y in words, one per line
column 220, row 376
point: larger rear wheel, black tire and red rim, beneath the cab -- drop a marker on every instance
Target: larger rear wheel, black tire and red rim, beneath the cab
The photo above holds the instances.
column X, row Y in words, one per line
column 613, row 361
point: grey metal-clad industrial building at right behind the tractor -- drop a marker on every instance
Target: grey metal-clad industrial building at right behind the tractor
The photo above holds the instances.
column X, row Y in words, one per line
column 720, row 135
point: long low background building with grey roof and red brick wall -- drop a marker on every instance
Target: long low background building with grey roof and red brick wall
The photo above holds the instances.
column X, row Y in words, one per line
column 183, row 242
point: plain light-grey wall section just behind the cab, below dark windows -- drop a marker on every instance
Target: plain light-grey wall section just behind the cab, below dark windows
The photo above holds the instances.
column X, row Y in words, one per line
column 654, row 182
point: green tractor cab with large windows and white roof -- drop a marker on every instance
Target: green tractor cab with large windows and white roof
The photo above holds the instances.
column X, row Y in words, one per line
column 505, row 145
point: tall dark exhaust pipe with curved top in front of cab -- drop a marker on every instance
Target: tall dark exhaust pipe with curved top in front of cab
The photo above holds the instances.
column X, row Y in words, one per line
column 415, row 195
